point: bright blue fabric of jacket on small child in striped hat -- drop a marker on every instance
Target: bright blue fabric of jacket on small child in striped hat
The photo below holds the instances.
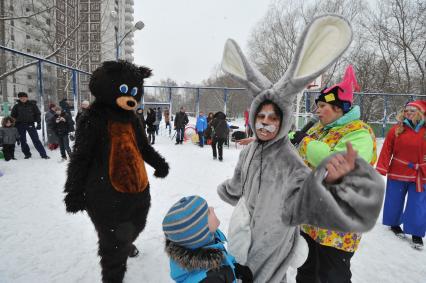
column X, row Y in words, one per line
column 182, row 275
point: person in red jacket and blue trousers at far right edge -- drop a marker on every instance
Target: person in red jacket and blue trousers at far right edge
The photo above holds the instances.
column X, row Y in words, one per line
column 403, row 160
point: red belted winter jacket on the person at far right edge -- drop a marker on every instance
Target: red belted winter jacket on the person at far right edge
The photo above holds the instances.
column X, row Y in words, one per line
column 403, row 158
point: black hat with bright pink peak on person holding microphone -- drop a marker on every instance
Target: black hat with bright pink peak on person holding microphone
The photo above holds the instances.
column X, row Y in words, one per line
column 341, row 94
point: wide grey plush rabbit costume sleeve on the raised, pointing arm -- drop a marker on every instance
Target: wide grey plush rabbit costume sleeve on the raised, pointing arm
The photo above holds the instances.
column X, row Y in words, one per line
column 352, row 205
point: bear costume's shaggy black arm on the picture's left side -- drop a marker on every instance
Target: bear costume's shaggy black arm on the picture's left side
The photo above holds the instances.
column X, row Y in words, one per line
column 78, row 167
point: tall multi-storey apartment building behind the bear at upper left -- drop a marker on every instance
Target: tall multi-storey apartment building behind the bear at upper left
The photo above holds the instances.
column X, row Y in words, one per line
column 81, row 33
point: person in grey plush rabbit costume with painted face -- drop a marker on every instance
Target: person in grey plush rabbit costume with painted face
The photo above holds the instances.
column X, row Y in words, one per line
column 280, row 192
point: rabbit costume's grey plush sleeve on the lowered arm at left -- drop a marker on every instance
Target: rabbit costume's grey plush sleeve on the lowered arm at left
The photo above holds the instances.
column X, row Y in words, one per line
column 230, row 190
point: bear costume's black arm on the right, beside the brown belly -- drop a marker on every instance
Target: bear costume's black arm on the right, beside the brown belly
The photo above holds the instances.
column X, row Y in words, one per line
column 149, row 154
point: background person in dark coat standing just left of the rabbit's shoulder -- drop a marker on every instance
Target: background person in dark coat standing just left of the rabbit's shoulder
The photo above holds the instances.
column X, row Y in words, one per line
column 219, row 131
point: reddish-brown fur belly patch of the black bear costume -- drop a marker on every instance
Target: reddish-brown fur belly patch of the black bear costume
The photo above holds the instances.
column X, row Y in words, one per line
column 126, row 166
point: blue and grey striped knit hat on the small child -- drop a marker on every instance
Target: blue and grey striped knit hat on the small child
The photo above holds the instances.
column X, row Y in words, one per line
column 186, row 223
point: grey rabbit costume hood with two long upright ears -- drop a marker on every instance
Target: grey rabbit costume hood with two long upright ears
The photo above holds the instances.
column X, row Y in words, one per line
column 314, row 55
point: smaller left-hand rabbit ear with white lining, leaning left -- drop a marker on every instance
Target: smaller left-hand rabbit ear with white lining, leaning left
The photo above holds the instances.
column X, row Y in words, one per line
column 235, row 64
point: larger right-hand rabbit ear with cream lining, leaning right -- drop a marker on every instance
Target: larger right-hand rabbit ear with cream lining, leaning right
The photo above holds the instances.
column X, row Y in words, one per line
column 321, row 44
